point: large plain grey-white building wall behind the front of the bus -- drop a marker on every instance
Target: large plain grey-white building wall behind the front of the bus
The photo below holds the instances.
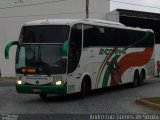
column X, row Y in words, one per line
column 14, row 13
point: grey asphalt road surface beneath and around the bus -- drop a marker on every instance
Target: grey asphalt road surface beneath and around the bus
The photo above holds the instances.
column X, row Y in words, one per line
column 119, row 100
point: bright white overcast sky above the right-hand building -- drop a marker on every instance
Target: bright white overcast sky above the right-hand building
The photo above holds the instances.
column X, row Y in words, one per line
column 154, row 5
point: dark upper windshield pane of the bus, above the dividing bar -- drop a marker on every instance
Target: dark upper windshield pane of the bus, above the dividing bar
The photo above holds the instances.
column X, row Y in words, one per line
column 44, row 34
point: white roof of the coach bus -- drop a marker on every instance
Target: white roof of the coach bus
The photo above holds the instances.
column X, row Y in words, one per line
column 84, row 21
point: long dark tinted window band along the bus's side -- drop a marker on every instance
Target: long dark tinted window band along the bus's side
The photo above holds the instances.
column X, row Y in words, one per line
column 116, row 37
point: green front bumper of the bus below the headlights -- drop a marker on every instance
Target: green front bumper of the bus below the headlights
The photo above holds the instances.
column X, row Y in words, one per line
column 42, row 89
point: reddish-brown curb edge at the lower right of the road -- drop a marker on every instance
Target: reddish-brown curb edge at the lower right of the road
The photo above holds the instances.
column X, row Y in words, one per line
column 148, row 104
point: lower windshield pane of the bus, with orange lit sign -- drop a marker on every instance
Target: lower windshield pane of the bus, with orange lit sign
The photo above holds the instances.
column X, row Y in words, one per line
column 43, row 59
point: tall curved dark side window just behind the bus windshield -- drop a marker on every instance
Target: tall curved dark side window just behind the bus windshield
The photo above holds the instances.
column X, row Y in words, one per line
column 75, row 45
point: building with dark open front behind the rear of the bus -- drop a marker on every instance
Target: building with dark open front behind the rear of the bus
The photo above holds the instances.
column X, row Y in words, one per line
column 139, row 19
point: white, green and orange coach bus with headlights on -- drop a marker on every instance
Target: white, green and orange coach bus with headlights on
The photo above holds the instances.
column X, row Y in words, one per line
column 64, row 56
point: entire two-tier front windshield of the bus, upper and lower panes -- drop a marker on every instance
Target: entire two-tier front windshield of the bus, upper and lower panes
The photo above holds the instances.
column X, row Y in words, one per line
column 40, row 50
